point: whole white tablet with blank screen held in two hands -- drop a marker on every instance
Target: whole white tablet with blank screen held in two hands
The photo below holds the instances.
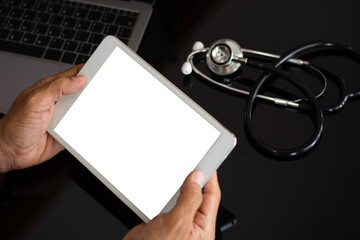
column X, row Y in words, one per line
column 136, row 132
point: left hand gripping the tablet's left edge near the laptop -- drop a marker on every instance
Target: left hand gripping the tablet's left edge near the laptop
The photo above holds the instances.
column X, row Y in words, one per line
column 24, row 141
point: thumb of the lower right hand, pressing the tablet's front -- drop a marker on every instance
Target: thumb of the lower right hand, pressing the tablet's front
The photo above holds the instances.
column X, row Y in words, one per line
column 190, row 197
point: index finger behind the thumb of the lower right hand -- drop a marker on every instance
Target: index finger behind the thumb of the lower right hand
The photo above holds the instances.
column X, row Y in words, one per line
column 211, row 200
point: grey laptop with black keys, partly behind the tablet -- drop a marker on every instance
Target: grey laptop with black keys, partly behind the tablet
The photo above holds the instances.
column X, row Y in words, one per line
column 40, row 38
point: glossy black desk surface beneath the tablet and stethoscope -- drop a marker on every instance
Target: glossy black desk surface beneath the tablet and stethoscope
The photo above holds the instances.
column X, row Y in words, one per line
column 314, row 197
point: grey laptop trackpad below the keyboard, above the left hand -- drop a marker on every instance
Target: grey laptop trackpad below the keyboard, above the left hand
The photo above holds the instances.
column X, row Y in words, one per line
column 18, row 73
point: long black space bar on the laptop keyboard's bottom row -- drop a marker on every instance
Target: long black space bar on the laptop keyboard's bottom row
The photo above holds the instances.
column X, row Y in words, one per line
column 28, row 50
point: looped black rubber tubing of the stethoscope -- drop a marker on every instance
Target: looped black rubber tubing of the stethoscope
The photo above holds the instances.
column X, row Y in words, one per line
column 317, row 109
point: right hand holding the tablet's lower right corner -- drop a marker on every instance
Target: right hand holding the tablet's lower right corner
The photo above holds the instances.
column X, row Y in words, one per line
column 193, row 217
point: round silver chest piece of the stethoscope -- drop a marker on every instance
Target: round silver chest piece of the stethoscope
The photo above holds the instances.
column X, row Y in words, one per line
column 220, row 57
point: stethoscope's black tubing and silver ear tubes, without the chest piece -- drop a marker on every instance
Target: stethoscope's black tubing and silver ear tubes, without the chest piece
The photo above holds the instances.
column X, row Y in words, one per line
column 309, row 104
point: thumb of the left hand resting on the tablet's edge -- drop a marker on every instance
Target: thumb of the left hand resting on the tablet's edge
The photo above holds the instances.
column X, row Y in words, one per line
column 53, row 91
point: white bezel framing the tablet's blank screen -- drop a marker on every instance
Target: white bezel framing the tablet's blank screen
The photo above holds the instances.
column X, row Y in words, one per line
column 208, row 165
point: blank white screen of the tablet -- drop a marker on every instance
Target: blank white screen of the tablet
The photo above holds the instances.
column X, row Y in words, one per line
column 136, row 133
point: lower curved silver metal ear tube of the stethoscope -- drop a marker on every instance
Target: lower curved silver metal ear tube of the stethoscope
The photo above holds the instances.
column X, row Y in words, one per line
column 277, row 101
